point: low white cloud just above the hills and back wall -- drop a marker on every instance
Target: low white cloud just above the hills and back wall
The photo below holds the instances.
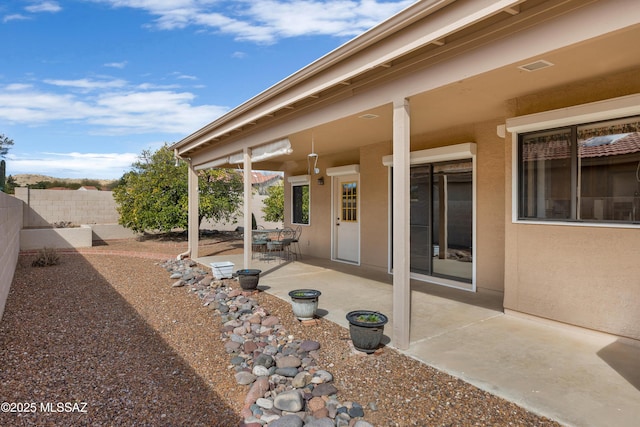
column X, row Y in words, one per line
column 73, row 165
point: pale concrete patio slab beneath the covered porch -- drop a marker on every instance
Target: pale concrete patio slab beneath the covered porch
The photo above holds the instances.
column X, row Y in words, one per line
column 576, row 377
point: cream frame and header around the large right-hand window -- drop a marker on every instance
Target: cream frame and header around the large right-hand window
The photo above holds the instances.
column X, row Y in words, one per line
column 580, row 115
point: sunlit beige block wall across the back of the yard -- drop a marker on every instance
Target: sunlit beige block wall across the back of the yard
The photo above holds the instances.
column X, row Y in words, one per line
column 45, row 207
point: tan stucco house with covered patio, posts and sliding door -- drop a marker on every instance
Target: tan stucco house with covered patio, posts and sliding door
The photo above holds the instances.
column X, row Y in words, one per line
column 484, row 145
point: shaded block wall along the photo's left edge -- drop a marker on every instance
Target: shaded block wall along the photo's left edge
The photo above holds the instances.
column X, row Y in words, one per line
column 10, row 225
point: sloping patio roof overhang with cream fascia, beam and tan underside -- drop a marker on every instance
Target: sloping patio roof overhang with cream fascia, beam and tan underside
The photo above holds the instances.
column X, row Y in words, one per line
column 405, row 57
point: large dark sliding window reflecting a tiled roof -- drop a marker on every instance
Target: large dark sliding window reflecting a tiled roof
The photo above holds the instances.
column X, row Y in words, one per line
column 588, row 172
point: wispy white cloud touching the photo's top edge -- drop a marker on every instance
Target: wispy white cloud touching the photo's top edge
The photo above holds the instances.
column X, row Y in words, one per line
column 266, row 21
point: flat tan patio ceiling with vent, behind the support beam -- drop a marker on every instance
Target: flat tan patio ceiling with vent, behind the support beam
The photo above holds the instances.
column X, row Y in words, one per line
column 477, row 99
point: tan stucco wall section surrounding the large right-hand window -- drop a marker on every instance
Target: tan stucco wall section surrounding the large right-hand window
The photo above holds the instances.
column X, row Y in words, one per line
column 582, row 275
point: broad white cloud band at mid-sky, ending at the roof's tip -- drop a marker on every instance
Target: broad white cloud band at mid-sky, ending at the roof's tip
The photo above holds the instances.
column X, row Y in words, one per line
column 108, row 109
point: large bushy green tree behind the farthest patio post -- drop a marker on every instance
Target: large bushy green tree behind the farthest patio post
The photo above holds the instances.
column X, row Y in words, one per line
column 154, row 194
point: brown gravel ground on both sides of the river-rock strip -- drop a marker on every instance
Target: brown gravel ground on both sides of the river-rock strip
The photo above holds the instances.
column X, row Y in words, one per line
column 107, row 335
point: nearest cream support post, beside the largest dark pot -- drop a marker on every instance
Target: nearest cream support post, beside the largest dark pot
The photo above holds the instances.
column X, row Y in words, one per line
column 401, row 230
